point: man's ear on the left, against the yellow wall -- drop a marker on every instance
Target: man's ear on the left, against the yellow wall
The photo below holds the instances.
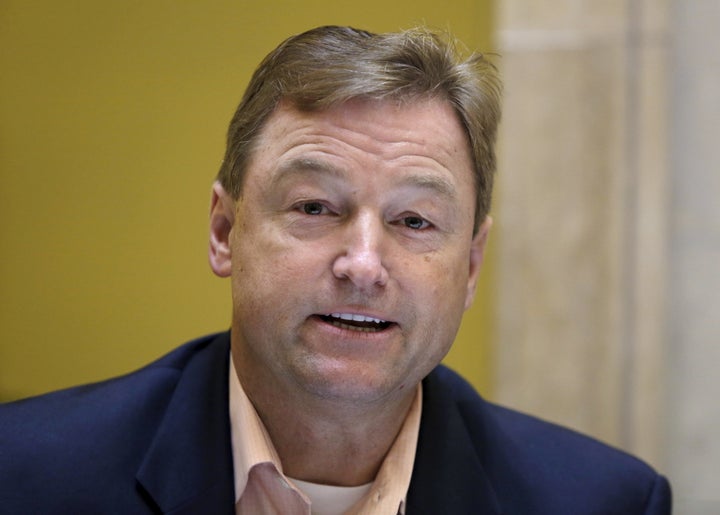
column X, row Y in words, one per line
column 222, row 217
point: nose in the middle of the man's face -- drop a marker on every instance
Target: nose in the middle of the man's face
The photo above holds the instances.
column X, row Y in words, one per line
column 360, row 260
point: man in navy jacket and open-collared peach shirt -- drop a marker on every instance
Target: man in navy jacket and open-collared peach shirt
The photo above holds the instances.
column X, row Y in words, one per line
column 351, row 216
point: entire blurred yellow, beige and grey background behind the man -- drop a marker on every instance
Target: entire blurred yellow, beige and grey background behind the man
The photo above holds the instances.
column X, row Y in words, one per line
column 598, row 306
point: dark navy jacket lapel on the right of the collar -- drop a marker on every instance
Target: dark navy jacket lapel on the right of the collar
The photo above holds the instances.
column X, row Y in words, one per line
column 448, row 476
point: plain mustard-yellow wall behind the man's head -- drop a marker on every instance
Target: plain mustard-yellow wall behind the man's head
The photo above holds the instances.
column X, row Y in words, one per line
column 112, row 122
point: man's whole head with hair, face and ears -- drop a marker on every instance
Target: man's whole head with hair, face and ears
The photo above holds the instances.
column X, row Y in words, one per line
column 346, row 213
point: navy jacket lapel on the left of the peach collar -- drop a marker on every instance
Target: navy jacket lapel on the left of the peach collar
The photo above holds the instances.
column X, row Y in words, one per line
column 188, row 467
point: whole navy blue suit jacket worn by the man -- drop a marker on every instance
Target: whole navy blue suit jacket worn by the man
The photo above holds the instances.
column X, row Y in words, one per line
column 158, row 441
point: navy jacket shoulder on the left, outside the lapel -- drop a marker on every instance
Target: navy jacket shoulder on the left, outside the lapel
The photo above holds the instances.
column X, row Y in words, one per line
column 75, row 439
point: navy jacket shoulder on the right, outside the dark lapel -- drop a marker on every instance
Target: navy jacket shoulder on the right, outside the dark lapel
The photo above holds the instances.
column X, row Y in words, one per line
column 535, row 464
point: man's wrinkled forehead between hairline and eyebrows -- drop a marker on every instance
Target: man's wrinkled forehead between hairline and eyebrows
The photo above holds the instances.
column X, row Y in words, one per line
column 426, row 132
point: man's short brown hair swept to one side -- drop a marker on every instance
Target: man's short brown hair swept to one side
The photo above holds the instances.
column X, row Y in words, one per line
column 329, row 66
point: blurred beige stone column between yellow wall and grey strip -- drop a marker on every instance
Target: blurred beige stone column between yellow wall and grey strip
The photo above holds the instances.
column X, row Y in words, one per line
column 581, row 212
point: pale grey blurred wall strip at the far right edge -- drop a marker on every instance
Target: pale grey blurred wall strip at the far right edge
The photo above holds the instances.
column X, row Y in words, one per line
column 693, row 415
